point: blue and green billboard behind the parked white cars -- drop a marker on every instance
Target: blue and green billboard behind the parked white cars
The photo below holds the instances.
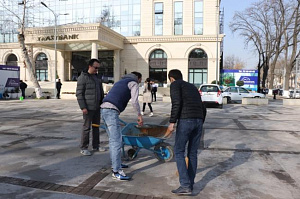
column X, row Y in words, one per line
column 230, row 77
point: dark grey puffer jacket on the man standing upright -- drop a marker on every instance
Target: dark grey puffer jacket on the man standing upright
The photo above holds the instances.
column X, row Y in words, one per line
column 86, row 92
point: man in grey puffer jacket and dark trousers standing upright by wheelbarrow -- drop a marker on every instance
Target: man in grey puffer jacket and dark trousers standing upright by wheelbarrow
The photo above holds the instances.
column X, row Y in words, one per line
column 89, row 93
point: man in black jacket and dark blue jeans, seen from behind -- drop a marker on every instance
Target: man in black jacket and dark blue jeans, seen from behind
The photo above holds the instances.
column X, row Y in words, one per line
column 189, row 112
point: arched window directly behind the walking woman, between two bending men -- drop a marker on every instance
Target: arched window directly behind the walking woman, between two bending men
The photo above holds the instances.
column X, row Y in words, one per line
column 158, row 66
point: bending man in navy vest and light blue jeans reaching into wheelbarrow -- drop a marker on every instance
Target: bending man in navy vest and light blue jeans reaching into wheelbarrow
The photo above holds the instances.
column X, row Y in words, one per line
column 113, row 104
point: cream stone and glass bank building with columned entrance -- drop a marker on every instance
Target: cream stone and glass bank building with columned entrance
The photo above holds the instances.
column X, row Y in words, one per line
column 148, row 36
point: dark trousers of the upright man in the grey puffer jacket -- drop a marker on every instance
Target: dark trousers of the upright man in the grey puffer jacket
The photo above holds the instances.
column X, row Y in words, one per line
column 93, row 117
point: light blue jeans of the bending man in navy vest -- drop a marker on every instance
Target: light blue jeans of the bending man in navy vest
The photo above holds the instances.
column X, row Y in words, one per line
column 111, row 120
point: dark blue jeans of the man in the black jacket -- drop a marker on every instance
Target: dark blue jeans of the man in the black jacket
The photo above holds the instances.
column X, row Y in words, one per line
column 187, row 131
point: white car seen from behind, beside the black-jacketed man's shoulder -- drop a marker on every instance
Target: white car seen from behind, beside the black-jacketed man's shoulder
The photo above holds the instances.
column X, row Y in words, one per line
column 211, row 94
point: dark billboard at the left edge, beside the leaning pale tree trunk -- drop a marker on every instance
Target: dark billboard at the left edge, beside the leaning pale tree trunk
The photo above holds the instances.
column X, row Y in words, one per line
column 9, row 78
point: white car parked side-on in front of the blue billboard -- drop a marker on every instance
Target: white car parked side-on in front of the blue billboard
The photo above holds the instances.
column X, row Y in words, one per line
column 237, row 93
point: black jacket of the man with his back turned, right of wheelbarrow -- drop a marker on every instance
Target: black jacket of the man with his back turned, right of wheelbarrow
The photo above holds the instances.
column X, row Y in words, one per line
column 186, row 102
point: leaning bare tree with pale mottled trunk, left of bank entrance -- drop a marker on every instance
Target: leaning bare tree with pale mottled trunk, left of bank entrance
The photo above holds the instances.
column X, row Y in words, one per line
column 24, row 50
